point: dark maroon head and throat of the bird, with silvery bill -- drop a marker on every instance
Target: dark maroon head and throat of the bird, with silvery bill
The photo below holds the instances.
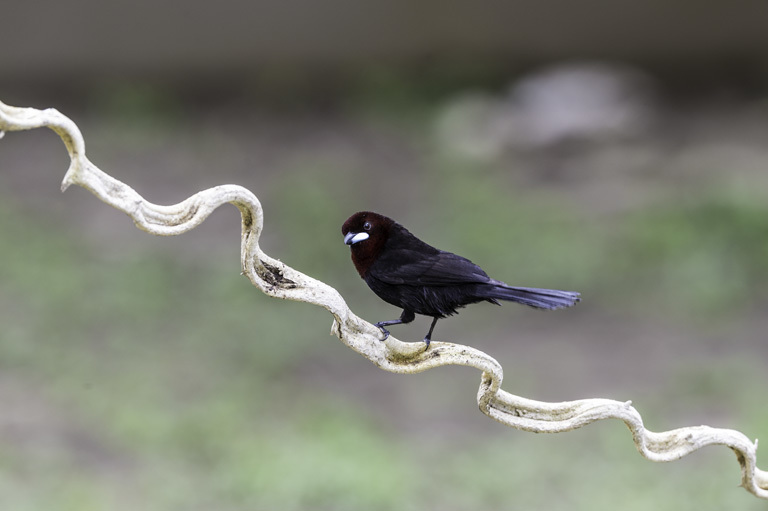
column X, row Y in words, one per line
column 366, row 233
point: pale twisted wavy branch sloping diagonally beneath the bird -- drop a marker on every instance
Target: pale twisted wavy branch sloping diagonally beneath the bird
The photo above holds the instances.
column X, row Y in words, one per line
column 281, row 281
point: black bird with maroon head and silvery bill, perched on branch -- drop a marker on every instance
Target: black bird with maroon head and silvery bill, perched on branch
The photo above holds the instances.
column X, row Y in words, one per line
column 420, row 279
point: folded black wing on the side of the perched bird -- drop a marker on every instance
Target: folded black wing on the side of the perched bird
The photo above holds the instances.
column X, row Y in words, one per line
column 413, row 267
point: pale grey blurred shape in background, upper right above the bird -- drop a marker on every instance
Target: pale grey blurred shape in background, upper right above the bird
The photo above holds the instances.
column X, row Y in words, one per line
column 581, row 101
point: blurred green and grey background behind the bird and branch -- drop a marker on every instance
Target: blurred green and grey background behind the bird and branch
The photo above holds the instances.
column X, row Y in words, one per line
column 139, row 372
